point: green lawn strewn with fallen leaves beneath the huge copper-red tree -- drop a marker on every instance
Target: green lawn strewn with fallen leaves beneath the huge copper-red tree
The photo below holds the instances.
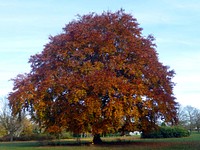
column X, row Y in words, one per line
column 117, row 143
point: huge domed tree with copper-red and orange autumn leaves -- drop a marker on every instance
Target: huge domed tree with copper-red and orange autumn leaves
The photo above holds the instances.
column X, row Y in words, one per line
column 100, row 76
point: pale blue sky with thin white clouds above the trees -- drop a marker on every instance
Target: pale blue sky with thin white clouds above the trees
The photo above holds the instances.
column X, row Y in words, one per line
column 25, row 26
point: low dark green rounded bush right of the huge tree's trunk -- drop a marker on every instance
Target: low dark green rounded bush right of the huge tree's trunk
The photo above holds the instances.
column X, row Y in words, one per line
column 166, row 132
